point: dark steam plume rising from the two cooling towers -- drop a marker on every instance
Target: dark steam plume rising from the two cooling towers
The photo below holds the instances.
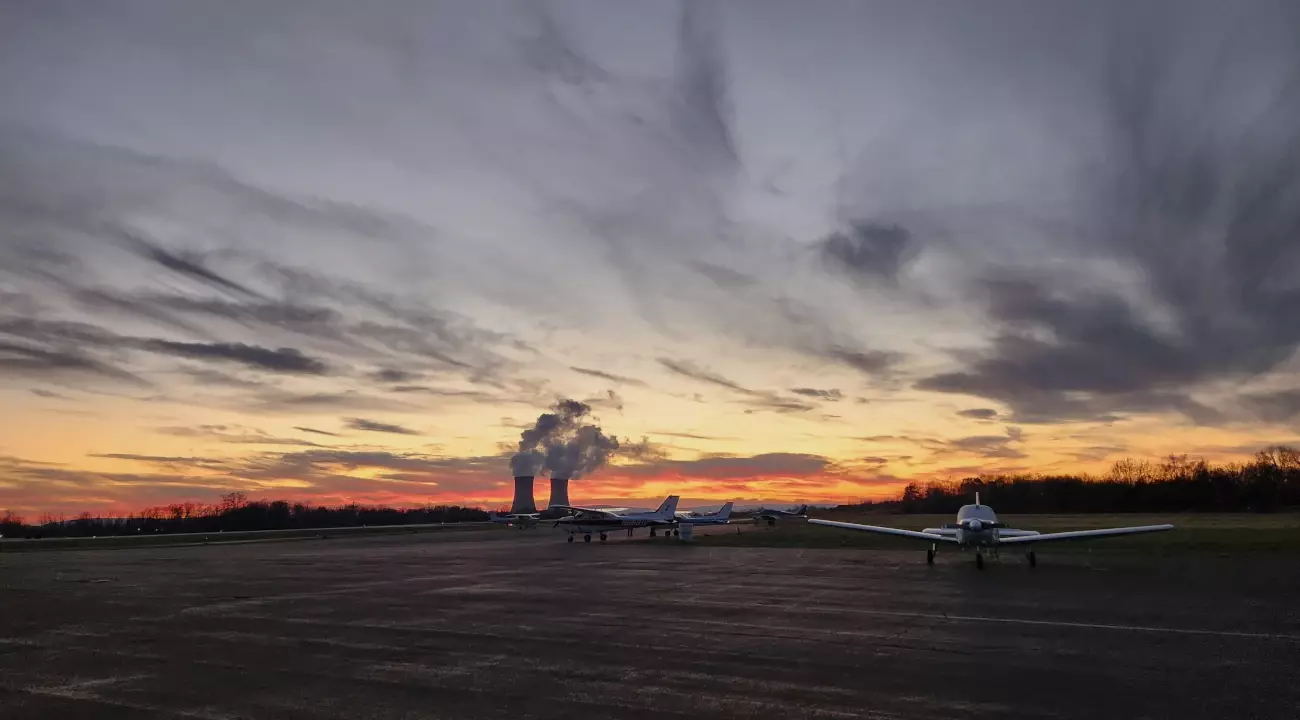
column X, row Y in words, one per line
column 562, row 445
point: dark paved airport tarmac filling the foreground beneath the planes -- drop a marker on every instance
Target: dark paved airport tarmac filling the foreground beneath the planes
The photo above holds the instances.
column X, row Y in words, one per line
column 527, row 626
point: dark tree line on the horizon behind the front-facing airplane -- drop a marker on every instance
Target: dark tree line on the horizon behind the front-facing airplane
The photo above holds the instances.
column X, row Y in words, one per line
column 1267, row 484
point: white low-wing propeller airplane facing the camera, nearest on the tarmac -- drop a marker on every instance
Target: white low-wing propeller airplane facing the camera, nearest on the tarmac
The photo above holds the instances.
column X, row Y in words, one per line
column 978, row 527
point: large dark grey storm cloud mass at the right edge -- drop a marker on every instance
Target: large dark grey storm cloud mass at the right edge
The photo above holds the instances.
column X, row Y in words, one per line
column 1199, row 198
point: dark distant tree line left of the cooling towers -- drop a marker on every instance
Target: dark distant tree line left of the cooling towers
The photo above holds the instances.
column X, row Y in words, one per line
column 235, row 513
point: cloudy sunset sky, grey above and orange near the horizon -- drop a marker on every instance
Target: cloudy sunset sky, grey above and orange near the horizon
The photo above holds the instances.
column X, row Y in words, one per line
column 782, row 251
